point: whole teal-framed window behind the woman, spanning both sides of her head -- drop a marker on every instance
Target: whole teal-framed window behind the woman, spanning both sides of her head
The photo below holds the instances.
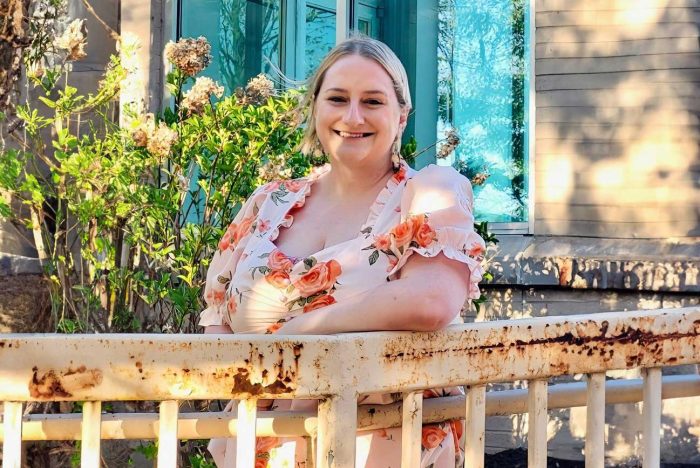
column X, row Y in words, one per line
column 467, row 61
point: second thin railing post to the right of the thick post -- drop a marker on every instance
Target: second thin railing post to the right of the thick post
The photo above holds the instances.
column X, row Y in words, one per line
column 475, row 427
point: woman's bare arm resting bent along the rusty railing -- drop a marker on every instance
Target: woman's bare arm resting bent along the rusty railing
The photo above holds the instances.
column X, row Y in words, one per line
column 429, row 294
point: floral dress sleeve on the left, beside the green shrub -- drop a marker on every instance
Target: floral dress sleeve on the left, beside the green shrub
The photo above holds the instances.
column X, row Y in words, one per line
column 225, row 260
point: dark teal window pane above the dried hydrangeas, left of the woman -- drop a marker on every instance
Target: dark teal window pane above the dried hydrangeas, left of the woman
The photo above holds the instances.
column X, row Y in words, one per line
column 244, row 36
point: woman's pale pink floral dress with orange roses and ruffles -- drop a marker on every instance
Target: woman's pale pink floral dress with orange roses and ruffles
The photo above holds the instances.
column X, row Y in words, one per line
column 254, row 287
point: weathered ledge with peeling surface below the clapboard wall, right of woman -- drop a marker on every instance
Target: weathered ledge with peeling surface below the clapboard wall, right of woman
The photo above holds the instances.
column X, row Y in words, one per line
column 593, row 263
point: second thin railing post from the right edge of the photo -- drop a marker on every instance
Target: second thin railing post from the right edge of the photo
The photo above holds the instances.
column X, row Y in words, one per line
column 595, row 420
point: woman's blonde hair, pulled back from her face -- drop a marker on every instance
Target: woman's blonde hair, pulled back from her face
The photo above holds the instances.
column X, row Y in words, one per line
column 366, row 47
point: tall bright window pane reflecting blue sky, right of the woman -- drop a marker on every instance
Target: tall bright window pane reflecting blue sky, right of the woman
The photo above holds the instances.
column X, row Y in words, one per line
column 482, row 83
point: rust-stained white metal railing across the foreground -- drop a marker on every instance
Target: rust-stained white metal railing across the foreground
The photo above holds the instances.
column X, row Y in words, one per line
column 336, row 370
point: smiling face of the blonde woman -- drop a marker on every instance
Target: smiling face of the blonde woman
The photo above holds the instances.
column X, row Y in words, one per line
column 357, row 112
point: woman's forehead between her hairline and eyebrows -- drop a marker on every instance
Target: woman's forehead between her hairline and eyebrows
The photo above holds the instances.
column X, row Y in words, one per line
column 356, row 73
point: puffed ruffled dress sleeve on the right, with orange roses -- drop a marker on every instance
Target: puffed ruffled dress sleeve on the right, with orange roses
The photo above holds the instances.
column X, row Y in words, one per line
column 436, row 216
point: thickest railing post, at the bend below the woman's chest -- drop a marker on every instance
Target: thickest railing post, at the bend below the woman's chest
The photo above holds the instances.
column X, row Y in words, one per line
column 337, row 428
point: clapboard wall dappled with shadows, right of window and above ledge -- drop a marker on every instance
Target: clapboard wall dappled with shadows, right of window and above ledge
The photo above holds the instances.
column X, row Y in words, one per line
column 618, row 118
